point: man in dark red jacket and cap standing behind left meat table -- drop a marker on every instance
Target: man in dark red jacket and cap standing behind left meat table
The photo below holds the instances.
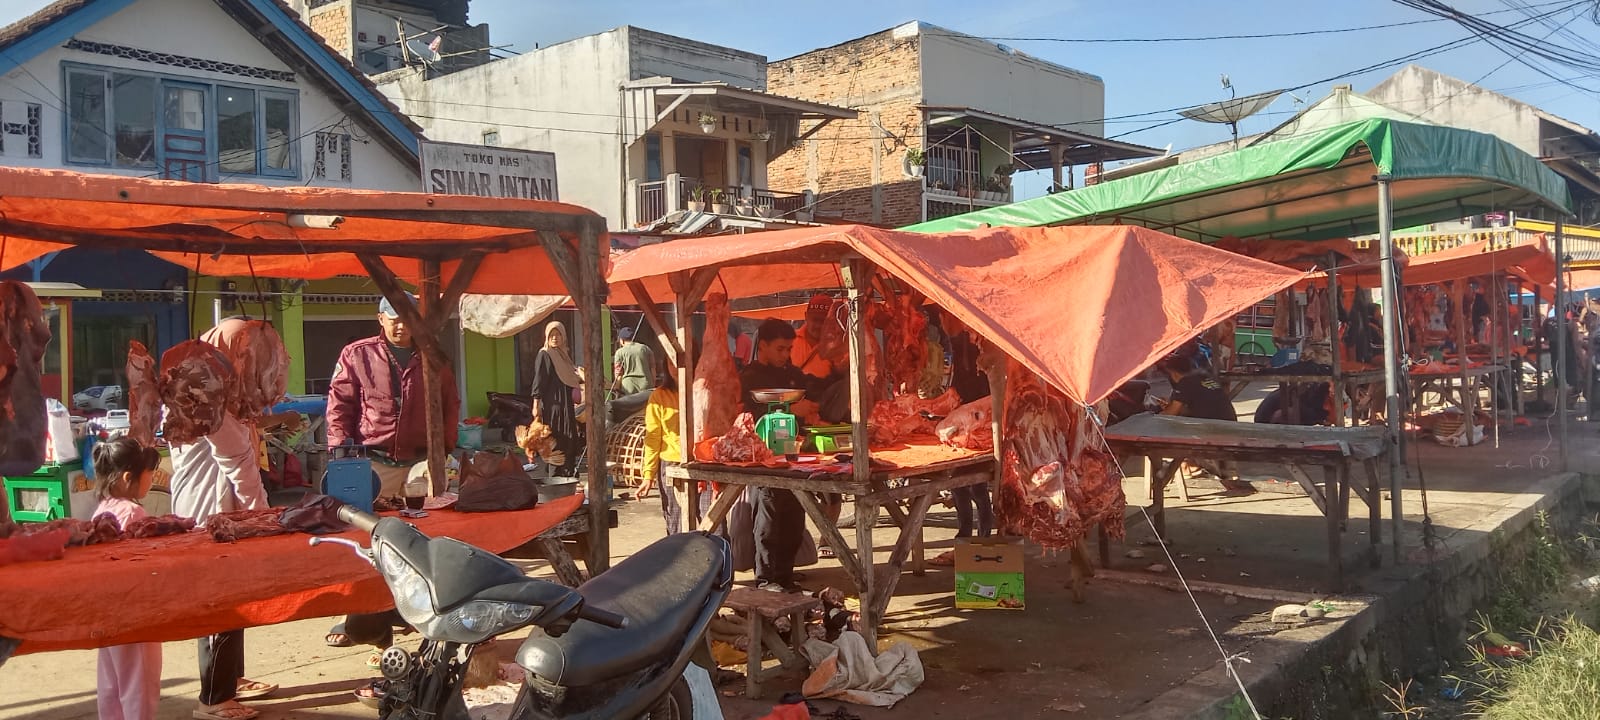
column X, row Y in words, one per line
column 377, row 399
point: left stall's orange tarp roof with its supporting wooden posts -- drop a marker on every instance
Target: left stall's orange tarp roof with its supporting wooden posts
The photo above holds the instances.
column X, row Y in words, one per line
column 442, row 246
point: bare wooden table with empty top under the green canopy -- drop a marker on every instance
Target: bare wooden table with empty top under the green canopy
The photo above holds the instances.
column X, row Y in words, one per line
column 1340, row 452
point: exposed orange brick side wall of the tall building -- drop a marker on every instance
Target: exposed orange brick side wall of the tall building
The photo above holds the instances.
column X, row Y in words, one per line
column 879, row 76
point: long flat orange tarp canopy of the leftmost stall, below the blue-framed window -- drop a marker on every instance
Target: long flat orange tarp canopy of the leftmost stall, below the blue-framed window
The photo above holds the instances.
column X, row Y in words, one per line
column 220, row 230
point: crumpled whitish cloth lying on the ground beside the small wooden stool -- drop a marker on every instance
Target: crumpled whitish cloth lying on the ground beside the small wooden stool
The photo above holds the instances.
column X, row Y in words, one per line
column 847, row 671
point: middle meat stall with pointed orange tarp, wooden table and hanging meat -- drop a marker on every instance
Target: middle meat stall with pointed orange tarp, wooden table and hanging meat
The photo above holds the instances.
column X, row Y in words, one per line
column 1050, row 356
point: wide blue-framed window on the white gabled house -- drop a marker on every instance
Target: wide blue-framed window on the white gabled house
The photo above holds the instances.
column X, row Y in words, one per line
column 180, row 127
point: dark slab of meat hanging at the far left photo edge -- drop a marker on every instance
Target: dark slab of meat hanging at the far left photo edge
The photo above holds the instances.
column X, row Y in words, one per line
column 23, row 340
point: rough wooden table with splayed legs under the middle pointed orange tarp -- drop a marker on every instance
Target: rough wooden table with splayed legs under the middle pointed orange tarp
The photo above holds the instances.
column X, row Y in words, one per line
column 911, row 474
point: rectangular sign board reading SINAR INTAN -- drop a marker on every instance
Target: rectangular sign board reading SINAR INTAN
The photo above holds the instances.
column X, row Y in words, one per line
column 450, row 169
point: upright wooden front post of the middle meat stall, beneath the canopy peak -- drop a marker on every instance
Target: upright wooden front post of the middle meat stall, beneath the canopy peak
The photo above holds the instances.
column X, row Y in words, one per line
column 855, row 274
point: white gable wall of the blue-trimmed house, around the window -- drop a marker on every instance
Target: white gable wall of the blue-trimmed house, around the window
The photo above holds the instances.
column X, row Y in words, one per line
column 194, row 30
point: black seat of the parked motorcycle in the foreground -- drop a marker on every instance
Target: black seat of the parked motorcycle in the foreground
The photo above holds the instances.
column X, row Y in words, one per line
column 662, row 591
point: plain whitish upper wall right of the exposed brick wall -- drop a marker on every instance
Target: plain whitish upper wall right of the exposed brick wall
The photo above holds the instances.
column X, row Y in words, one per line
column 964, row 71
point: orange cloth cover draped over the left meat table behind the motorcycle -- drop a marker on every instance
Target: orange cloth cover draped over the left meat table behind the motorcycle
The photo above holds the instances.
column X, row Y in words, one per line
column 188, row 586
